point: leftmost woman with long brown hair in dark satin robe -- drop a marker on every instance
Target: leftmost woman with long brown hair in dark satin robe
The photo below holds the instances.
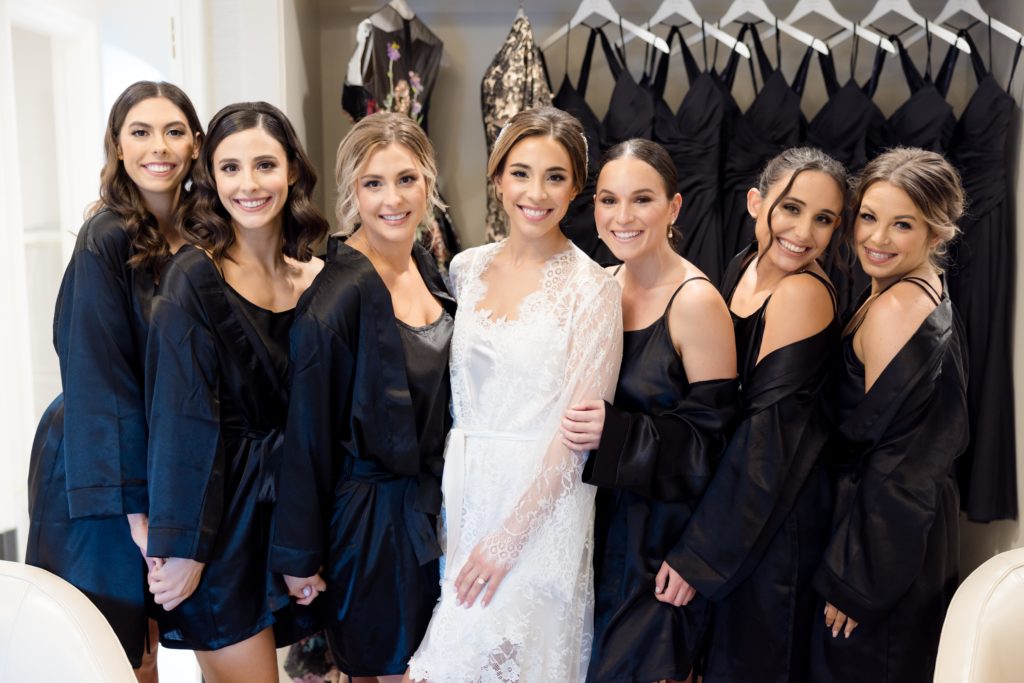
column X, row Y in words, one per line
column 88, row 488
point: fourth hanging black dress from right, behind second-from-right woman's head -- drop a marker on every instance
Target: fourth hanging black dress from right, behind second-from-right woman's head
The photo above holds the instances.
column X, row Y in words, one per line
column 774, row 123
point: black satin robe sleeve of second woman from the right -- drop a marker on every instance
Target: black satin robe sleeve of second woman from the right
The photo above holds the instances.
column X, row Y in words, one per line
column 783, row 430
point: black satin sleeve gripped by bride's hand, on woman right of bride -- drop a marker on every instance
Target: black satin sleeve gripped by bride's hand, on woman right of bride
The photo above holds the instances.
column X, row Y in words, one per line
column 668, row 457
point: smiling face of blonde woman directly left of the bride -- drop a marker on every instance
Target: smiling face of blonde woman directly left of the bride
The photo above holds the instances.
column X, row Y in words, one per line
column 392, row 195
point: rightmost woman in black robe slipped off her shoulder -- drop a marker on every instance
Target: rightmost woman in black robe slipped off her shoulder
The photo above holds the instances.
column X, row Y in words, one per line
column 891, row 567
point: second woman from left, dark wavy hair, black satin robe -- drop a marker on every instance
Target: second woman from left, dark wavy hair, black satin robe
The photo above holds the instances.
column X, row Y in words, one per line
column 217, row 394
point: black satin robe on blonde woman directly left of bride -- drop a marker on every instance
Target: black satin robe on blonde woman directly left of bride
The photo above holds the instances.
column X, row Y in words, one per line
column 360, row 497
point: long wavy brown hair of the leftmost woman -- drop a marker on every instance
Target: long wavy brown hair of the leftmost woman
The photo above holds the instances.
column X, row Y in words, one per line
column 119, row 193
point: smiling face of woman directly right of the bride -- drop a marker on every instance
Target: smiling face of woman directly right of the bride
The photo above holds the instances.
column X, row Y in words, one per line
column 631, row 208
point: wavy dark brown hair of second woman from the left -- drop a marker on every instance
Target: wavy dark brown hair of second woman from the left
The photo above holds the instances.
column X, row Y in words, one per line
column 205, row 222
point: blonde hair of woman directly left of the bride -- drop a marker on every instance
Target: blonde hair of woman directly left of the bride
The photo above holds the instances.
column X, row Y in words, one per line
column 370, row 135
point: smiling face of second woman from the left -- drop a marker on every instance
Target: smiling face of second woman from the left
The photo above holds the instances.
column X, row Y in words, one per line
column 251, row 172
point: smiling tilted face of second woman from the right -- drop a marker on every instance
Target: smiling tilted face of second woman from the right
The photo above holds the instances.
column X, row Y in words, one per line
column 803, row 222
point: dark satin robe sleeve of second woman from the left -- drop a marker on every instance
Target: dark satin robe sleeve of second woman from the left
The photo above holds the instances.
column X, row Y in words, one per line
column 187, row 463
